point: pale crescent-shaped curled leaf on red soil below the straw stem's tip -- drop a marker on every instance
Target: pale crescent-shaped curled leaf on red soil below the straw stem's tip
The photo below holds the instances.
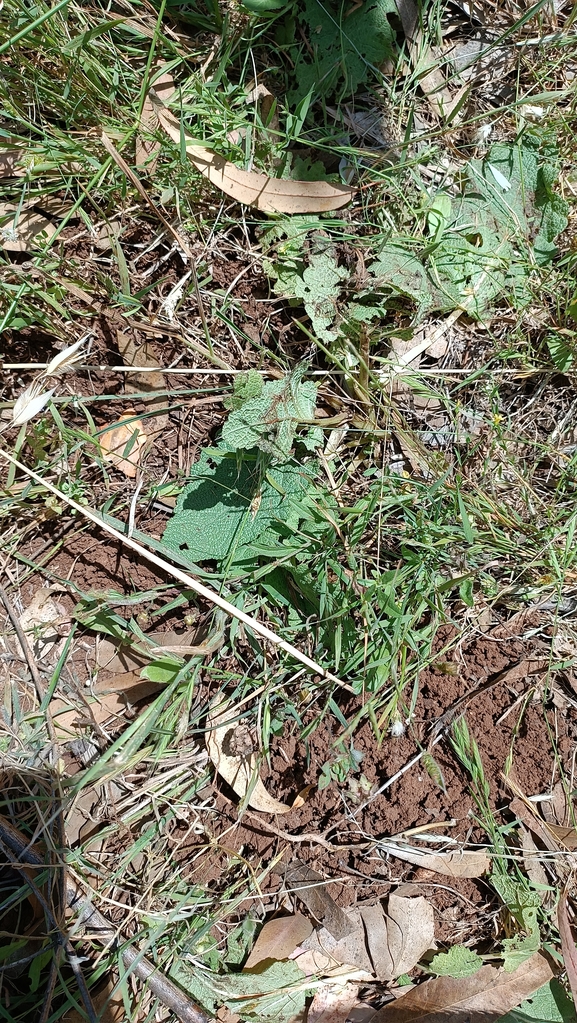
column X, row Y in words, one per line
column 239, row 771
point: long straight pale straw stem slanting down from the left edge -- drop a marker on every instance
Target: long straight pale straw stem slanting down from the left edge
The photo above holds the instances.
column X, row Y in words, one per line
column 184, row 577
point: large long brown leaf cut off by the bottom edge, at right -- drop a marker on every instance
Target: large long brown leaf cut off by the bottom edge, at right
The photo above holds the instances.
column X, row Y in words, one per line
column 484, row 998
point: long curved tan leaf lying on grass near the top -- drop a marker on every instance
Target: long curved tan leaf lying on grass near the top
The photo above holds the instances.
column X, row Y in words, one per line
column 252, row 189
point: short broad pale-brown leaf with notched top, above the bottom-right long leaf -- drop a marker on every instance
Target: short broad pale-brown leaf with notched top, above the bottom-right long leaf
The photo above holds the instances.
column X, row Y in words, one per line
column 398, row 940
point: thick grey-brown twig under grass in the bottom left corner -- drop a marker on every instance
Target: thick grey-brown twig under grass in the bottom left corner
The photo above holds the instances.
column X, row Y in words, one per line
column 166, row 991
